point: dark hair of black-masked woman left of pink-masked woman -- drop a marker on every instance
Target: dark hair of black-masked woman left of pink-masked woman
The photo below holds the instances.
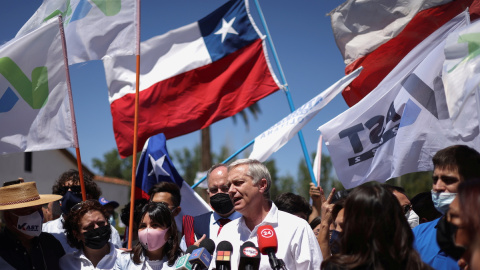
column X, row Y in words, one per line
column 71, row 223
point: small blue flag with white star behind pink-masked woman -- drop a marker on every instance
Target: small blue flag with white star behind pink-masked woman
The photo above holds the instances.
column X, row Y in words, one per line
column 155, row 166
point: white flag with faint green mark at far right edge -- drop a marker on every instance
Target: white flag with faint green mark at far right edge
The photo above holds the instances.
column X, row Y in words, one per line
column 461, row 70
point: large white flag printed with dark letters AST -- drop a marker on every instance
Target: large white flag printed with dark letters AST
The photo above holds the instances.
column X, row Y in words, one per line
column 398, row 127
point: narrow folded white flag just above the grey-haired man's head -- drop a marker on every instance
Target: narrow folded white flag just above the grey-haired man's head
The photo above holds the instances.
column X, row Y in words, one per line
column 278, row 135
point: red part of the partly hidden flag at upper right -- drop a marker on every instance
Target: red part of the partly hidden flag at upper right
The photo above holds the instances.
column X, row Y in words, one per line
column 380, row 62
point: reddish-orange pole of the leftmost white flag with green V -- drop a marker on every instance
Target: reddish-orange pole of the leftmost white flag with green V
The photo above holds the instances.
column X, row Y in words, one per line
column 72, row 111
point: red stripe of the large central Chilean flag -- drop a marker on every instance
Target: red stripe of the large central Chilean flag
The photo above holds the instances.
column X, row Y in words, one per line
column 195, row 99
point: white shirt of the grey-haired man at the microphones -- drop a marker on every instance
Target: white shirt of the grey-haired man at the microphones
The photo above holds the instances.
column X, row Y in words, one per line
column 297, row 245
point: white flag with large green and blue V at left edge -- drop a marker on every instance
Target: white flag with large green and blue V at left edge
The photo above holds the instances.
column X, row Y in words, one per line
column 35, row 112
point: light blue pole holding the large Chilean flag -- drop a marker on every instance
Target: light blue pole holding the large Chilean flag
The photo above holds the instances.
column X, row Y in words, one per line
column 286, row 89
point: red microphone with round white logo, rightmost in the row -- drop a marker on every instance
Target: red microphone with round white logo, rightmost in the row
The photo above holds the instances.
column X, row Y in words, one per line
column 268, row 243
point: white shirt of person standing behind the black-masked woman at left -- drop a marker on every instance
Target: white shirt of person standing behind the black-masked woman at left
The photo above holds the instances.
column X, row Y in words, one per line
column 55, row 228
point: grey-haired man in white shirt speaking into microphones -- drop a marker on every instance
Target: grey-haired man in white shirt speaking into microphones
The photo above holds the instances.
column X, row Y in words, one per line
column 250, row 183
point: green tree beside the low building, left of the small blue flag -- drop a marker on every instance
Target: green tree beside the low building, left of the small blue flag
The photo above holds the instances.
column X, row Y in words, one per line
column 113, row 166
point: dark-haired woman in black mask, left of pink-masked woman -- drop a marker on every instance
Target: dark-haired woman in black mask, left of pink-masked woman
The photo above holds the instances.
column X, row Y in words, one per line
column 88, row 230
